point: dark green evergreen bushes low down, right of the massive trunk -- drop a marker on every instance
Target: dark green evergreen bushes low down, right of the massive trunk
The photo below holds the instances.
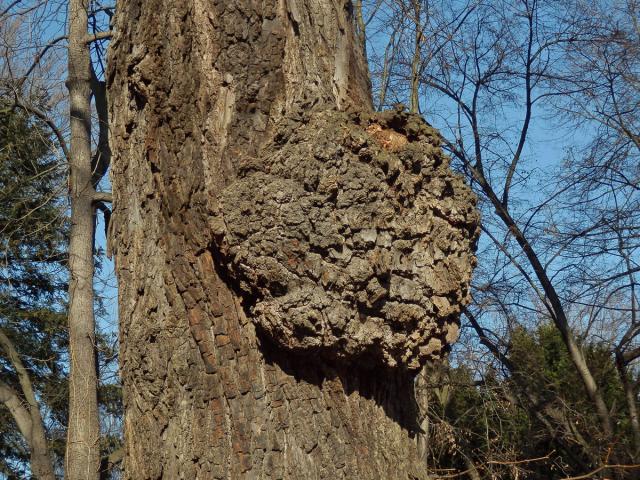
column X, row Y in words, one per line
column 488, row 418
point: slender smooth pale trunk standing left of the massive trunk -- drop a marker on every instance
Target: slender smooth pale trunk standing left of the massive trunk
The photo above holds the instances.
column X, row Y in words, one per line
column 82, row 457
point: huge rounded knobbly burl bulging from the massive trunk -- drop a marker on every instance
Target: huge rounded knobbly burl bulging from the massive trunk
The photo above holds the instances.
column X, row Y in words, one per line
column 350, row 237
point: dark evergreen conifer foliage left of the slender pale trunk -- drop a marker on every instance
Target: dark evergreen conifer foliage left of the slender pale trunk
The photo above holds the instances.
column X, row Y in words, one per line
column 32, row 274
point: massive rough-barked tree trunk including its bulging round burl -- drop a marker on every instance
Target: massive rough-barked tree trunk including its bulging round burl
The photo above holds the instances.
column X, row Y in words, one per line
column 214, row 106
